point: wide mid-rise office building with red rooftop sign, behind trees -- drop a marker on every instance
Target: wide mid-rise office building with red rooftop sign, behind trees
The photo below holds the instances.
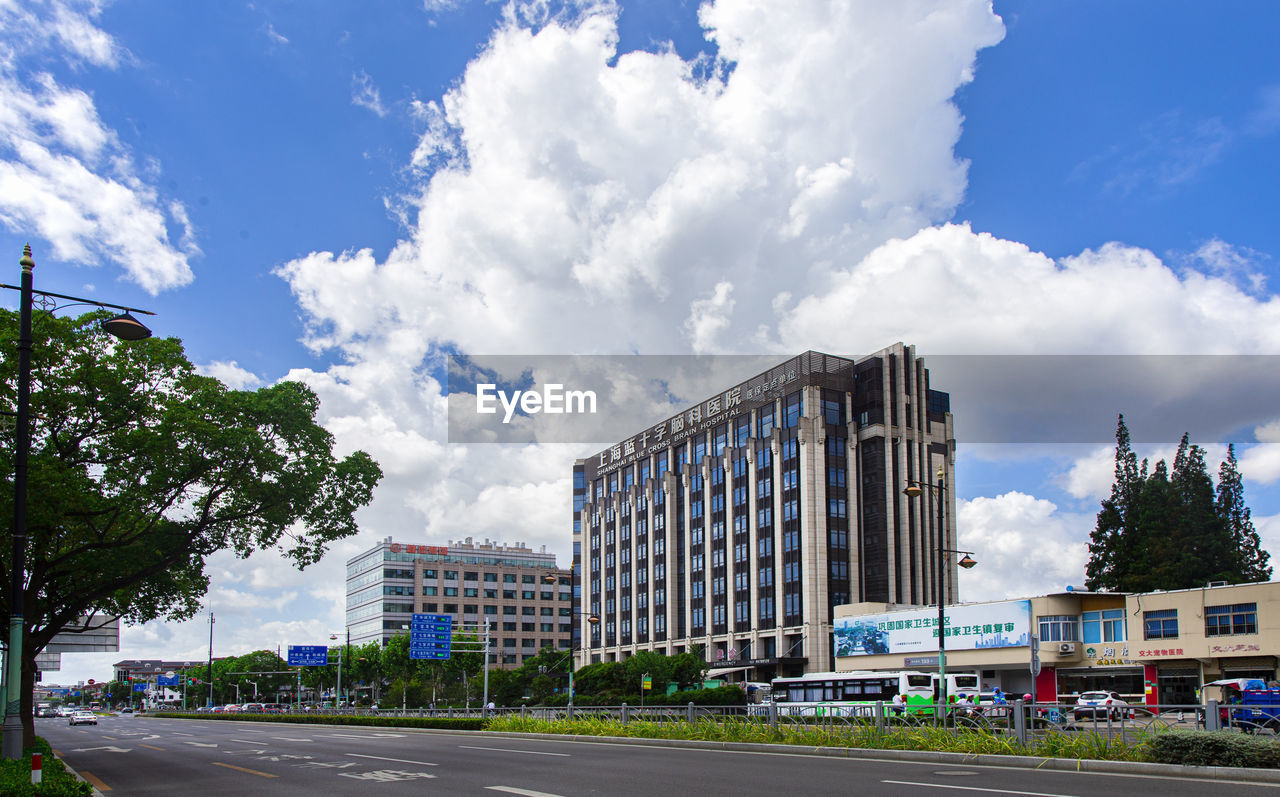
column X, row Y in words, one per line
column 520, row 593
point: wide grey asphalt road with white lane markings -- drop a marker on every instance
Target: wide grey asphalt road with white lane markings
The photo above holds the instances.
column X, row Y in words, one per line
column 149, row 755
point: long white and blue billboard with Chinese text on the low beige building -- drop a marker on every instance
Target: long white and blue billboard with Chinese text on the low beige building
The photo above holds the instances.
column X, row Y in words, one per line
column 968, row 627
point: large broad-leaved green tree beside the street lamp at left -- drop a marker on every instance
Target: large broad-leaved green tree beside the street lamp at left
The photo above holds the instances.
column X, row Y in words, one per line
column 140, row 469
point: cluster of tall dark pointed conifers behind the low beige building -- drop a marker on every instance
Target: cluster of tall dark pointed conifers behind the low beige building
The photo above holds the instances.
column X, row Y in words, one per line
column 1167, row 529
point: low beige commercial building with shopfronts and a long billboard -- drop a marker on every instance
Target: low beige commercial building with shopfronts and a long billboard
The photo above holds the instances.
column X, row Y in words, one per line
column 1151, row 648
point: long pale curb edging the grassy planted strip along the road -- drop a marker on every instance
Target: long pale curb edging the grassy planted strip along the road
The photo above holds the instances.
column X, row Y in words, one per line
column 953, row 759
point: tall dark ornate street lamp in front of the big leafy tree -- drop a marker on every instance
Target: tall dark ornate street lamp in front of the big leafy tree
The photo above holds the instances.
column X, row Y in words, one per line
column 124, row 327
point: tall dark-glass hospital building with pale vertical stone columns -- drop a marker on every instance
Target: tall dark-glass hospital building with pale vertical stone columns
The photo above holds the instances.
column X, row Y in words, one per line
column 742, row 523
